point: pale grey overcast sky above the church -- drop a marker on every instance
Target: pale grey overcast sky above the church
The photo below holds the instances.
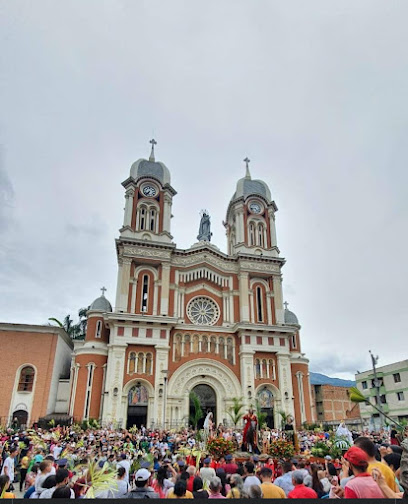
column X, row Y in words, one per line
column 315, row 93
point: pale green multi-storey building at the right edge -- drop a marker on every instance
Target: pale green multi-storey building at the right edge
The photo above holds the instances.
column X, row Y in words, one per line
column 393, row 392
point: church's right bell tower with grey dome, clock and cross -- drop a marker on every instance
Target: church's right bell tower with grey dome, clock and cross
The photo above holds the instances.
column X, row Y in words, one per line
column 250, row 222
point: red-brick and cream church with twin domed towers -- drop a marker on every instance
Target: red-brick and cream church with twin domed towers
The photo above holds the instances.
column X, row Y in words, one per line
column 191, row 320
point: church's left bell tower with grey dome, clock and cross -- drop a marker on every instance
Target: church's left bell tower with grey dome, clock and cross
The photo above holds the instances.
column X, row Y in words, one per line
column 148, row 201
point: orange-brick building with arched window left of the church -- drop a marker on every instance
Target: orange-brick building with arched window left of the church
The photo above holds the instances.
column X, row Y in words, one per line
column 35, row 372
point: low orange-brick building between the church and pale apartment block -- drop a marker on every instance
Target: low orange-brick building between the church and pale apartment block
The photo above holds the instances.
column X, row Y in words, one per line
column 332, row 405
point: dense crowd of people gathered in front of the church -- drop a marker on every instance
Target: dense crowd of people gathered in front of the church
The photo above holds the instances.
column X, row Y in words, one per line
column 66, row 462
